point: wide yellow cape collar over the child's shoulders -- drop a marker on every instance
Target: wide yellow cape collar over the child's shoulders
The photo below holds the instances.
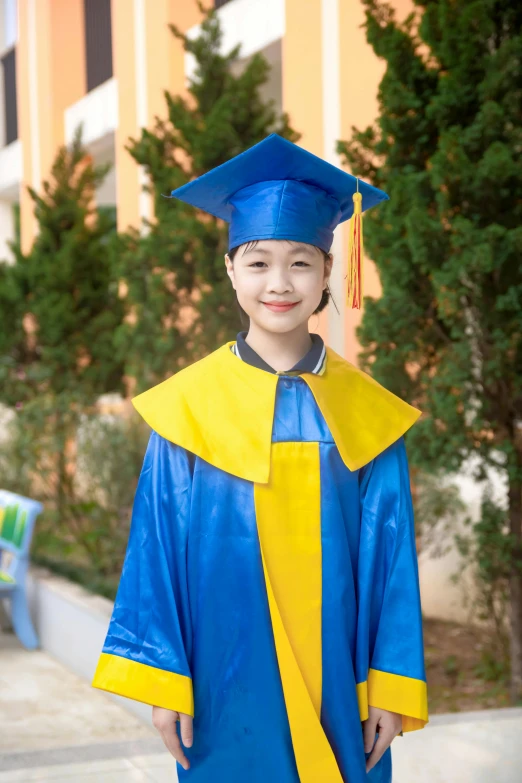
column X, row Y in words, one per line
column 222, row 409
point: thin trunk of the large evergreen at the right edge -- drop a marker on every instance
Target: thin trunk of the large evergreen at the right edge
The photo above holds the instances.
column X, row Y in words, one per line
column 515, row 524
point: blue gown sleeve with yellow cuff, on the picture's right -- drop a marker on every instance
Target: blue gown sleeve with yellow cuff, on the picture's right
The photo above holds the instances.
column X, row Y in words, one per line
column 388, row 584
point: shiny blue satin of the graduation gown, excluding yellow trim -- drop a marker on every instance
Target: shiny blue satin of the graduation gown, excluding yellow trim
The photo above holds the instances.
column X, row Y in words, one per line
column 192, row 599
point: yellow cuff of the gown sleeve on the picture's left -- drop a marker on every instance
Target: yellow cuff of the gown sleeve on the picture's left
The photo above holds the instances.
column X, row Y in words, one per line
column 144, row 683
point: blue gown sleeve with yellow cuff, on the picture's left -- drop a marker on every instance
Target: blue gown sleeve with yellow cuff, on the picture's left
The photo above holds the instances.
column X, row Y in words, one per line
column 146, row 652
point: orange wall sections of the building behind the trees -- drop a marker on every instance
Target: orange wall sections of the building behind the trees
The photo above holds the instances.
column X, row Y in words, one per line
column 61, row 80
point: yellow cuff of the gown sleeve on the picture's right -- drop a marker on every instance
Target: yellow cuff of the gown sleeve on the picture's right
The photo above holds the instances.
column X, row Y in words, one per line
column 395, row 693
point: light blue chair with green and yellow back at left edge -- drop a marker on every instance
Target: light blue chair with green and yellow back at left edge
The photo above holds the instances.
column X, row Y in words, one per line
column 17, row 518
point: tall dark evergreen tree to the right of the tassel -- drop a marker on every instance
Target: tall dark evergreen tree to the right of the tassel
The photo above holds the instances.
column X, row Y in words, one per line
column 446, row 333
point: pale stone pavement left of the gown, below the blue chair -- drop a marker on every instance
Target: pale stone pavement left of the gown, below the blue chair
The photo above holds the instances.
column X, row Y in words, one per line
column 55, row 727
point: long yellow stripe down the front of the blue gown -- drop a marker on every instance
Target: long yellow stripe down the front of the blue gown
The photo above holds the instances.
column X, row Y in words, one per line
column 288, row 513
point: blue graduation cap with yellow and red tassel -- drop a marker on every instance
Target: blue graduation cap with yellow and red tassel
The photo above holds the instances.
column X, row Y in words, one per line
column 278, row 190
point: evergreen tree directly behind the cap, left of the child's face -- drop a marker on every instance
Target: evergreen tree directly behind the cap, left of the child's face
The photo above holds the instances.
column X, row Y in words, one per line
column 175, row 273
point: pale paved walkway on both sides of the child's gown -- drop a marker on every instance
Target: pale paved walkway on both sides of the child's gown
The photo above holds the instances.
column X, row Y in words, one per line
column 54, row 727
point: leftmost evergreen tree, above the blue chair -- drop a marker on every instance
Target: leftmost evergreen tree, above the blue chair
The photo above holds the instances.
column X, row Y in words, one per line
column 60, row 308
